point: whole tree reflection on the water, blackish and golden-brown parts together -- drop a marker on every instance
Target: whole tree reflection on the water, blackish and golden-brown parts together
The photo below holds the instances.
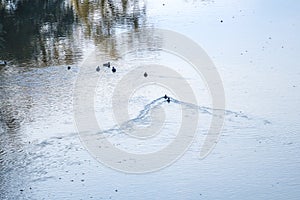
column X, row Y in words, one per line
column 49, row 32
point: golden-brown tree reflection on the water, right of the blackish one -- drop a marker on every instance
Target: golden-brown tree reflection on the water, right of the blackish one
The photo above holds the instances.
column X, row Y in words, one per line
column 101, row 19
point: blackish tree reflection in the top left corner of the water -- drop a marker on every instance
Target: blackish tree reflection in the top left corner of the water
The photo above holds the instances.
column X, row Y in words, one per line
column 30, row 26
